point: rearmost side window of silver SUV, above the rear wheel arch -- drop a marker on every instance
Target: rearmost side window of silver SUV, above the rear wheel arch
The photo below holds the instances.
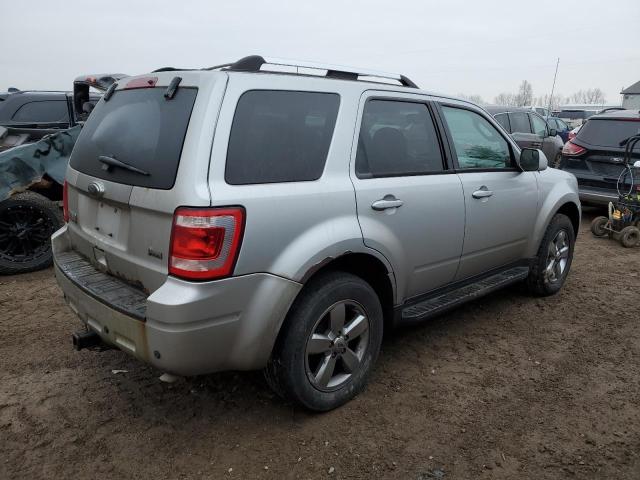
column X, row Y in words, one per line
column 280, row 136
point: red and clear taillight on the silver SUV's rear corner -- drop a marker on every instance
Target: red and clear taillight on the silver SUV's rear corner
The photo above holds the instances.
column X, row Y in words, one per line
column 205, row 242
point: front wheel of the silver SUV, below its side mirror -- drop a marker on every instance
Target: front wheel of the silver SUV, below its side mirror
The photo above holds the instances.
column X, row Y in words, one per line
column 551, row 265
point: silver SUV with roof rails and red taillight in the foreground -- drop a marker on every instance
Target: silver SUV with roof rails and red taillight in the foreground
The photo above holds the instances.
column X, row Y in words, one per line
column 278, row 216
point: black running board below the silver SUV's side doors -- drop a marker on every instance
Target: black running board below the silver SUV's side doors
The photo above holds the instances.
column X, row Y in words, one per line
column 452, row 298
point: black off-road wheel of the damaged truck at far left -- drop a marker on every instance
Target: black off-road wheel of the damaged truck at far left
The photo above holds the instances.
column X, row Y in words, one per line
column 27, row 221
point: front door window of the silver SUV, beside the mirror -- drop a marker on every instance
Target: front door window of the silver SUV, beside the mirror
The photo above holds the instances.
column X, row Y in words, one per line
column 478, row 144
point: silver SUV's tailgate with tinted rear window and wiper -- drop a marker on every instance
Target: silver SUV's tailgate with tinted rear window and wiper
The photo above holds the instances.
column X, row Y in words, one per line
column 139, row 156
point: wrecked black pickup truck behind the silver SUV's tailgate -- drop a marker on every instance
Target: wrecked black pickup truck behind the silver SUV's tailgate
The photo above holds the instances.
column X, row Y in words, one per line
column 37, row 132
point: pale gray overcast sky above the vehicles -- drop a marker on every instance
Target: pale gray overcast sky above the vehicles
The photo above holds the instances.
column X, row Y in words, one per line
column 471, row 47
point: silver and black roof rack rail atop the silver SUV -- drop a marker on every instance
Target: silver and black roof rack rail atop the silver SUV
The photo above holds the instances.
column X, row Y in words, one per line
column 254, row 63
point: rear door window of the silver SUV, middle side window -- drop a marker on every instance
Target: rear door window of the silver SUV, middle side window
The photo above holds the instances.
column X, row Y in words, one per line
column 397, row 138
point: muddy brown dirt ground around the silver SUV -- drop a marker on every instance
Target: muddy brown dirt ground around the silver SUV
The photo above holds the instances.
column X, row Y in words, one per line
column 507, row 387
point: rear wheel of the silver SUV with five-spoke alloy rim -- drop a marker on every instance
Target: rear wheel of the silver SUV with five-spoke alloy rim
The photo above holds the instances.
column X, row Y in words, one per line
column 328, row 344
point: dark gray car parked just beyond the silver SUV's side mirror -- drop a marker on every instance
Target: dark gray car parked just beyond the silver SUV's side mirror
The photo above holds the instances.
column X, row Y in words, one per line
column 529, row 130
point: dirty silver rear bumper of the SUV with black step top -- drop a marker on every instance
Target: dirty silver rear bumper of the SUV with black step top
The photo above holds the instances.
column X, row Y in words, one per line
column 186, row 328
